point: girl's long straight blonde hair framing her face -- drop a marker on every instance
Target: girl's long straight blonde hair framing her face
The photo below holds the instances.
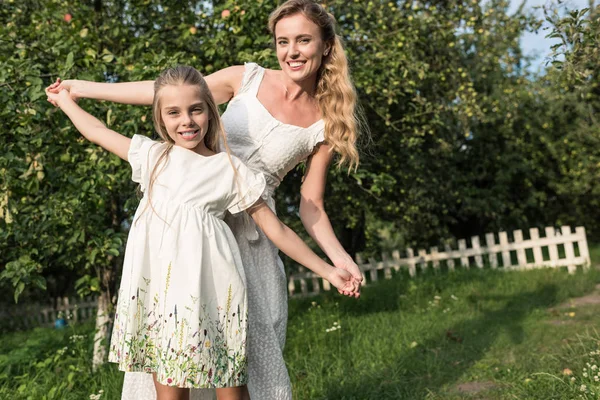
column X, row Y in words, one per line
column 179, row 76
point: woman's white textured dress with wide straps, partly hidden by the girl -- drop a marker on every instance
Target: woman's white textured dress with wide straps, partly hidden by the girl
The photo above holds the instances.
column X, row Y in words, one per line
column 267, row 145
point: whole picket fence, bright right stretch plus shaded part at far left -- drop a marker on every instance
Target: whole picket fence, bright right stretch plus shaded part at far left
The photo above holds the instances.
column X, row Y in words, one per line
column 558, row 248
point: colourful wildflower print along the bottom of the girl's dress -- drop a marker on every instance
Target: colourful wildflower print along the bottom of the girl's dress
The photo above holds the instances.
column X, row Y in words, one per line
column 190, row 348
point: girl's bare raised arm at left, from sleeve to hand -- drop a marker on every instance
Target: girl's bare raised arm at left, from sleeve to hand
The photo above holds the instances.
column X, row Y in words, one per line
column 89, row 126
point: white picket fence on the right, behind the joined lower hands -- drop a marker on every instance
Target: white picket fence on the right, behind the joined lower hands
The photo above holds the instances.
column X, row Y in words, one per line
column 558, row 248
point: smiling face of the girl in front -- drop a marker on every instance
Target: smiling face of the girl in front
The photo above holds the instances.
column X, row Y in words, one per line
column 185, row 116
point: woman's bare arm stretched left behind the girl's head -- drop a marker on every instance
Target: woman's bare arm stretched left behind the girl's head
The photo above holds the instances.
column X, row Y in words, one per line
column 223, row 85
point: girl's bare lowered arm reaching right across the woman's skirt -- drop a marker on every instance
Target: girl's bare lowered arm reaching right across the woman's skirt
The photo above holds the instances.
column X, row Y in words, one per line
column 288, row 242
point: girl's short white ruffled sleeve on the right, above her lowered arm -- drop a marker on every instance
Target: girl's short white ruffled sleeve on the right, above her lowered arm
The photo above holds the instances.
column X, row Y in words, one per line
column 249, row 187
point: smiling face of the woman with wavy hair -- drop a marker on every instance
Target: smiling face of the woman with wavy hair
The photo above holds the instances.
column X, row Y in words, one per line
column 300, row 49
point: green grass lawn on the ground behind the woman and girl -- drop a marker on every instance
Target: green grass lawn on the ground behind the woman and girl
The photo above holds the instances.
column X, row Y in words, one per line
column 404, row 339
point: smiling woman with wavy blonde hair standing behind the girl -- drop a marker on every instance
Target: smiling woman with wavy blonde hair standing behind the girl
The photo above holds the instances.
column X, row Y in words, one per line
column 274, row 120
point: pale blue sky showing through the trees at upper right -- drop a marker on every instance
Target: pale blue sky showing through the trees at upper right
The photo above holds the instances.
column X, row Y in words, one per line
column 537, row 44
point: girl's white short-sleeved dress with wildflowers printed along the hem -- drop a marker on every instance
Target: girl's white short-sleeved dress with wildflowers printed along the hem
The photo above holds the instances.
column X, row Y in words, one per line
column 182, row 306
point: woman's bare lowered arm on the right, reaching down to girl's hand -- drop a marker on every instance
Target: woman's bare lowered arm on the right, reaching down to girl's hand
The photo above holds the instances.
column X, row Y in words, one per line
column 313, row 214
